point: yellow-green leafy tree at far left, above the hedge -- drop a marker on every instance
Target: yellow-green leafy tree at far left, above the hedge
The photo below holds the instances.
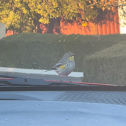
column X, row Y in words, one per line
column 18, row 15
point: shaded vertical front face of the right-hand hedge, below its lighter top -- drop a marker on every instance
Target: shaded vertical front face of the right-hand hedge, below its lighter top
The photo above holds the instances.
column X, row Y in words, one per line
column 109, row 71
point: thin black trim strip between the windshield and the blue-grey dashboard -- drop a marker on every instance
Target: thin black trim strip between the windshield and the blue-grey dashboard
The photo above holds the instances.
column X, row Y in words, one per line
column 64, row 88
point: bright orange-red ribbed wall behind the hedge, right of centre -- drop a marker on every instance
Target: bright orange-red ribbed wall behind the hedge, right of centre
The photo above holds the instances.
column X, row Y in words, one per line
column 106, row 23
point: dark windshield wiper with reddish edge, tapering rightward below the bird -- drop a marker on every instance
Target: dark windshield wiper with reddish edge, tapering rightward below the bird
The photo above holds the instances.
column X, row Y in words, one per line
column 26, row 81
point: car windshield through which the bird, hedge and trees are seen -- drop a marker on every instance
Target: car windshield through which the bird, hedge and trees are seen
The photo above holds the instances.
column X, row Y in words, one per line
column 63, row 41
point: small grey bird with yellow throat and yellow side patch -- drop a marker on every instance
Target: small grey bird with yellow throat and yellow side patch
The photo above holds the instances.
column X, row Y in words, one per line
column 66, row 65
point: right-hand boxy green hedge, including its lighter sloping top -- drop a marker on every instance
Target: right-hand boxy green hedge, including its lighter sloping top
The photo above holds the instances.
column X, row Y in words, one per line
column 107, row 66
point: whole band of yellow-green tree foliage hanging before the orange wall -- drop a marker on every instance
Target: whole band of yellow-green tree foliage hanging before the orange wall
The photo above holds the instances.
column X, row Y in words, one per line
column 24, row 15
